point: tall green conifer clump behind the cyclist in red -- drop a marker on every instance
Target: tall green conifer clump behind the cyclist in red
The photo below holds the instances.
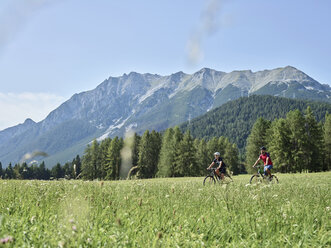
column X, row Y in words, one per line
column 296, row 143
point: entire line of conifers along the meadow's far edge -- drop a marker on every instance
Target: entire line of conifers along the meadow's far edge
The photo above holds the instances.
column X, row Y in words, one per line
column 298, row 142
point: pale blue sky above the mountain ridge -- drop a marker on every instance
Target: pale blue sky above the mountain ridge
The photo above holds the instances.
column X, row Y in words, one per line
column 52, row 49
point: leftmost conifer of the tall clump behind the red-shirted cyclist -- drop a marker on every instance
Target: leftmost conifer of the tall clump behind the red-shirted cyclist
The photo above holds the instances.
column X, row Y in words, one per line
column 255, row 141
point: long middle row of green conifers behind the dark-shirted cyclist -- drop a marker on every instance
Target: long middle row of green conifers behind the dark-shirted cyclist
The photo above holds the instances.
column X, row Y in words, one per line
column 155, row 154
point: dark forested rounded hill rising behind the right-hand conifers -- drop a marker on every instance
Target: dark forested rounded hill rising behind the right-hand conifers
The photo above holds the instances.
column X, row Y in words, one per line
column 236, row 118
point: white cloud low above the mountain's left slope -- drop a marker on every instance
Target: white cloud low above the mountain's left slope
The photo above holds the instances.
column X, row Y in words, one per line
column 16, row 107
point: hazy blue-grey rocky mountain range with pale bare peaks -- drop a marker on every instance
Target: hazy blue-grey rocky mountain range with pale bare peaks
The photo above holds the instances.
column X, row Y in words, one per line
column 146, row 101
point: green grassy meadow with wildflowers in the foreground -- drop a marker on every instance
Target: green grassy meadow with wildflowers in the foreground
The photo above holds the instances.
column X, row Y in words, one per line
column 176, row 212
